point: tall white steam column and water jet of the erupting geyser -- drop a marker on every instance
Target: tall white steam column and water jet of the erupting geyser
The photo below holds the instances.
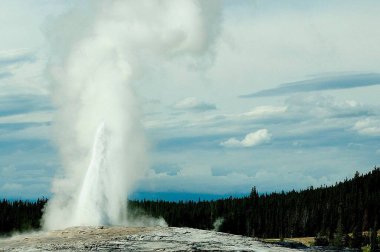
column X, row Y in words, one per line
column 100, row 49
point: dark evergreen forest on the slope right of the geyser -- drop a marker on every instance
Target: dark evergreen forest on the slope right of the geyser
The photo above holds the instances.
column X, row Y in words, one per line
column 351, row 206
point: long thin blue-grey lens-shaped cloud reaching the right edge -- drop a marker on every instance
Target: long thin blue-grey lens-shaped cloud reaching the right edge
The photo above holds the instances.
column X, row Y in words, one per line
column 319, row 84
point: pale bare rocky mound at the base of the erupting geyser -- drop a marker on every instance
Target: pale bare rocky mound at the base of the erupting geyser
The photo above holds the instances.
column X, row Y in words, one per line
column 134, row 239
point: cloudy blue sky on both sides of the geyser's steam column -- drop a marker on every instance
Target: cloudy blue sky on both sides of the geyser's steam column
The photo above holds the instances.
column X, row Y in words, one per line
column 288, row 98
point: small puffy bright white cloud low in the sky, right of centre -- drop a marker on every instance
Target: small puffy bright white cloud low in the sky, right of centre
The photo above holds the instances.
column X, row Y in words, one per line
column 252, row 139
